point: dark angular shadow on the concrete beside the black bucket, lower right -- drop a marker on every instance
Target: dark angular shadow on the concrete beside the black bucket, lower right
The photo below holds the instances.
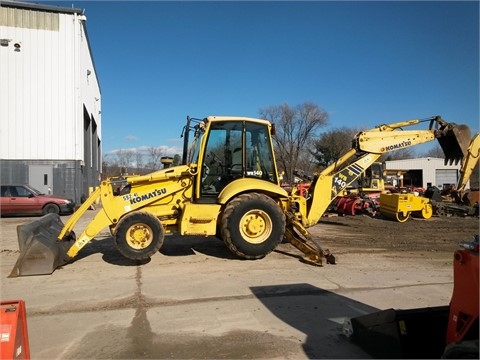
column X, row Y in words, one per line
column 317, row 313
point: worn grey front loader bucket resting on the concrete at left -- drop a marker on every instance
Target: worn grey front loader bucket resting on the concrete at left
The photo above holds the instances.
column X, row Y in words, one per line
column 40, row 250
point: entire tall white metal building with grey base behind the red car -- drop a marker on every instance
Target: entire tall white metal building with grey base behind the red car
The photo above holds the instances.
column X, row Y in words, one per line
column 50, row 100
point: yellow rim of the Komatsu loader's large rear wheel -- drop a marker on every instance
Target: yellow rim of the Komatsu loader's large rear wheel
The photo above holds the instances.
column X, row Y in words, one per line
column 255, row 226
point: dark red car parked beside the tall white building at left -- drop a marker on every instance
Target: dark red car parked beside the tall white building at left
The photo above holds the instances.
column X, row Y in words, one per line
column 23, row 199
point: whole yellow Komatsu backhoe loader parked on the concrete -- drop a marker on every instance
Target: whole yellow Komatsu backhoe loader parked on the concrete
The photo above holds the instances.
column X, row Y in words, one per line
column 227, row 186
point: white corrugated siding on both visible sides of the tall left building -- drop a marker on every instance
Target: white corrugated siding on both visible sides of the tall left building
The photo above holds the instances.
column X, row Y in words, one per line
column 45, row 83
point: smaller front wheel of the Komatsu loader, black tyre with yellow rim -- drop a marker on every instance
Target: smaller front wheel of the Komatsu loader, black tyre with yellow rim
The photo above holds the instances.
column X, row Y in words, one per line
column 139, row 235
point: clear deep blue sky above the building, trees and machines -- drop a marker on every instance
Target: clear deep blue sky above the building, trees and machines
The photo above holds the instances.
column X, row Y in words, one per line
column 365, row 63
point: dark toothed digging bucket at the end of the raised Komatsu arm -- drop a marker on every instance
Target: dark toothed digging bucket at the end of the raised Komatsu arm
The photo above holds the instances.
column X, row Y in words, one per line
column 455, row 140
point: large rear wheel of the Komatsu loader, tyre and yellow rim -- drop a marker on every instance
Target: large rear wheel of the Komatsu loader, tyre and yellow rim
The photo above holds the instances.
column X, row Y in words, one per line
column 252, row 225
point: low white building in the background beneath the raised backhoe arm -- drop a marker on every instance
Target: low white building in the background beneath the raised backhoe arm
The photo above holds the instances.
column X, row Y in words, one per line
column 423, row 172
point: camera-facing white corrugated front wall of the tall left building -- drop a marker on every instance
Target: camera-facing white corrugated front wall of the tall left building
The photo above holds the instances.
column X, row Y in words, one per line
column 38, row 87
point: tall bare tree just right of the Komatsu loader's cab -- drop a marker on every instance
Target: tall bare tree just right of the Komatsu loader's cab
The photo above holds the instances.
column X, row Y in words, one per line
column 295, row 127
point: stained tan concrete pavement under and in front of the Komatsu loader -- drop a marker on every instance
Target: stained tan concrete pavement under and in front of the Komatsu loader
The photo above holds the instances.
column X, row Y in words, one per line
column 195, row 300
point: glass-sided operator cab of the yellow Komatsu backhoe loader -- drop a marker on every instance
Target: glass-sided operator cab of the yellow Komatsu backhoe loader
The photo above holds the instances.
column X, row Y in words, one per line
column 234, row 148
